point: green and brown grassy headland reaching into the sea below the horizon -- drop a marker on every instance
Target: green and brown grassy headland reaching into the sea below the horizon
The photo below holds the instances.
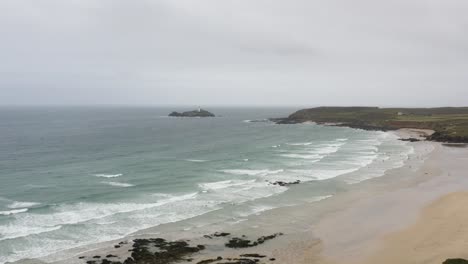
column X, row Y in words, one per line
column 450, row 123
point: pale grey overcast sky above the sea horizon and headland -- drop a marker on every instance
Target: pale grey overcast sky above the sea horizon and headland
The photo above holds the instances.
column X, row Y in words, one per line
column 234, row 52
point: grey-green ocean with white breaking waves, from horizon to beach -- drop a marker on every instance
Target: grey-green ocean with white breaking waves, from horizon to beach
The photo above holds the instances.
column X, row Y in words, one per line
column 73, row 176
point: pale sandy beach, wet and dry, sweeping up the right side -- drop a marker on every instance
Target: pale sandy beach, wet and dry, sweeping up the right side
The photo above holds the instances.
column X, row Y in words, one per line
column 425, row 220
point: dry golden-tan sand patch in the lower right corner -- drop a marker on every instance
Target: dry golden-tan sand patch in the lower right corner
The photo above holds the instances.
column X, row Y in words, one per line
column 440, row 233
